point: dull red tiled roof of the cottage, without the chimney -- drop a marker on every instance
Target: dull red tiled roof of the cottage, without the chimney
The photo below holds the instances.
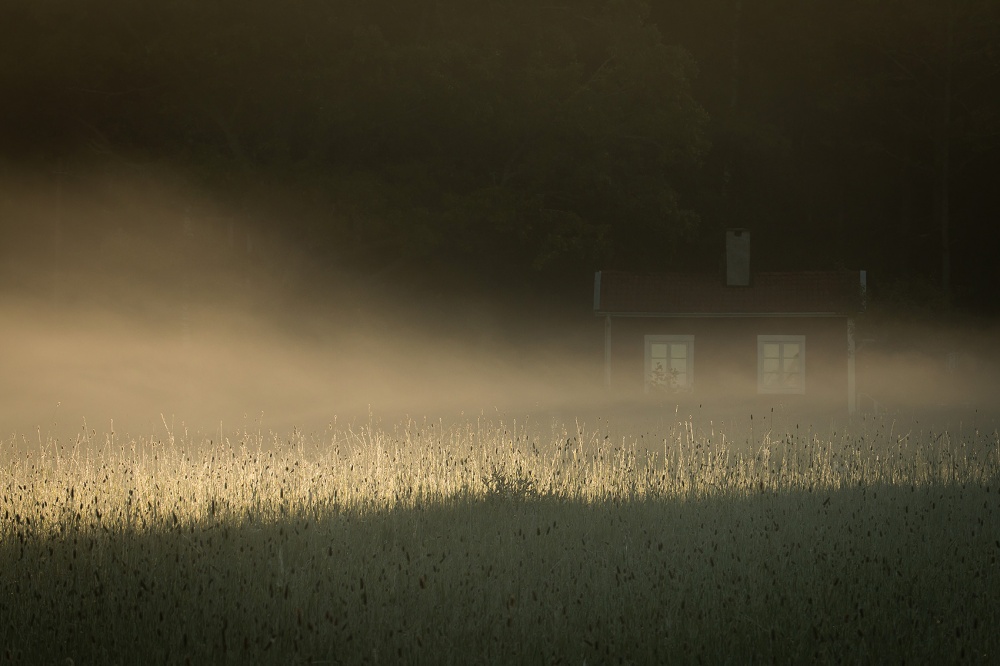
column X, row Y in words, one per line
column 820, row 293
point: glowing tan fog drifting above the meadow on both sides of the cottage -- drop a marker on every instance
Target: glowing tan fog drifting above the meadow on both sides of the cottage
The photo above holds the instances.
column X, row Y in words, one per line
column 127, row 298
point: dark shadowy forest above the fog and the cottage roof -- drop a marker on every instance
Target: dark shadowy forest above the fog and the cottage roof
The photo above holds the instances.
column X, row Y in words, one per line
column 528, row 143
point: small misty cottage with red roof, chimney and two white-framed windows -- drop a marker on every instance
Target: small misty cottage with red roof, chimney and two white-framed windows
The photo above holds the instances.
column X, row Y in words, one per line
column 735, row 338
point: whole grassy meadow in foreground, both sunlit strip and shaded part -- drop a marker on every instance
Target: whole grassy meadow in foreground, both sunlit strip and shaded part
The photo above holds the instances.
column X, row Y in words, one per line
column 488, row 543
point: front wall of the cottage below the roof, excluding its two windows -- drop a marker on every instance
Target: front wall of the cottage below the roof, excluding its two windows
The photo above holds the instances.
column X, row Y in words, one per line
column 725, row 359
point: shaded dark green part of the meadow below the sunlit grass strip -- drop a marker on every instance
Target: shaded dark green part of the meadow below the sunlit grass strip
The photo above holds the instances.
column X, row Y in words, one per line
column 870, row 574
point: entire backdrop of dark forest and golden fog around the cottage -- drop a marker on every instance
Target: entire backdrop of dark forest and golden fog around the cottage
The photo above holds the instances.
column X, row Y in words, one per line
column 217, row 210
